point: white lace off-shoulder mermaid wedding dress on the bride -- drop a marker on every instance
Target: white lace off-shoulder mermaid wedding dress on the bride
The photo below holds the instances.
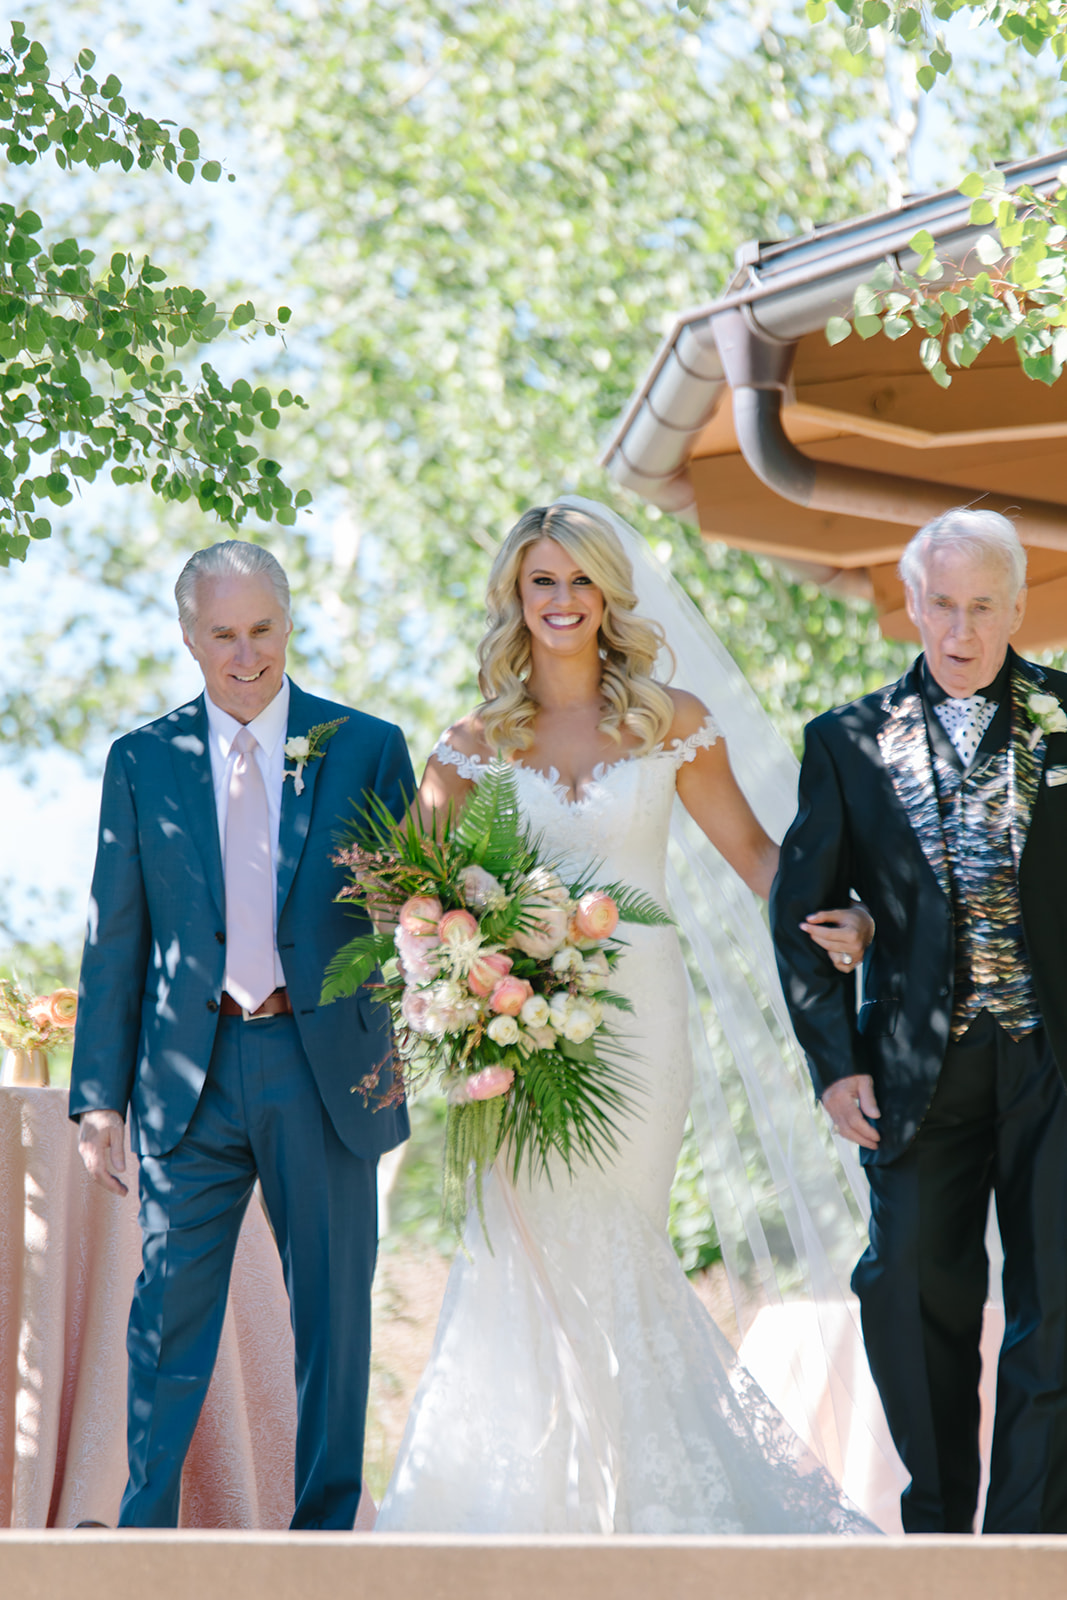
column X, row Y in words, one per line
column 577, row 1383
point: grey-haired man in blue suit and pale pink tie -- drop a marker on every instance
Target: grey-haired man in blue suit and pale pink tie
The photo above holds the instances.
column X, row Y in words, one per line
column 212, row 922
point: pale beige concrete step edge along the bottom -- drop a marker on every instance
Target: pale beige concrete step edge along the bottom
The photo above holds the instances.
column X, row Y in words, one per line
column 100, row 1566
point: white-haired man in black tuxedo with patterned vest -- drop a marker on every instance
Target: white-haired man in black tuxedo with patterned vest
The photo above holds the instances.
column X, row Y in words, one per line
column 941, row 801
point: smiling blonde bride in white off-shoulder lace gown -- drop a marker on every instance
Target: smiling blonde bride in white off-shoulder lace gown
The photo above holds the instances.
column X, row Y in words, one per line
column 577, row 1383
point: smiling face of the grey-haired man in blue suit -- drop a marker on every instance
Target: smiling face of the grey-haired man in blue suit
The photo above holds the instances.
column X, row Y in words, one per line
column 239, row 642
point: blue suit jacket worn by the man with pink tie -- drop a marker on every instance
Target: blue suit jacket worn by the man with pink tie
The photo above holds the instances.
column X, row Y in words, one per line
column 156, row 946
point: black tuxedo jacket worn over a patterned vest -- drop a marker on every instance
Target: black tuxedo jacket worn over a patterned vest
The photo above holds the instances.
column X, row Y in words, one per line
column 869, row 822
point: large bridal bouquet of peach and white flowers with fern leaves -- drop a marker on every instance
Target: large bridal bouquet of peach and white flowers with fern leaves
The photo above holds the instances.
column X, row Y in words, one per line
column 498, row 978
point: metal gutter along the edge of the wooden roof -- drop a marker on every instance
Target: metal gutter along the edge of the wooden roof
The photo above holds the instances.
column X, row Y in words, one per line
column 794, row 289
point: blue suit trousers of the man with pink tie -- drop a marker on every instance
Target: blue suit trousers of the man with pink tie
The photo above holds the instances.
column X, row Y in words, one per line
column 260, row 1116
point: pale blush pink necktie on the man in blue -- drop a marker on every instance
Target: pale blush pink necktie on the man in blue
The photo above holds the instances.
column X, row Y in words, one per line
column 249, row 881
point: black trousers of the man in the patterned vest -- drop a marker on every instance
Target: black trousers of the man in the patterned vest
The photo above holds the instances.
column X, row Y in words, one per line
column 997, row 1124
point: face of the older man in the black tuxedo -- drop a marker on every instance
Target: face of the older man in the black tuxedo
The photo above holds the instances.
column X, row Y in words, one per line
column 965, row 614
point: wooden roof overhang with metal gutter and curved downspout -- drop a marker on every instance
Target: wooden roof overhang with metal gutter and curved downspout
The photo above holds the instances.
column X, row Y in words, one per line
column 829, row 458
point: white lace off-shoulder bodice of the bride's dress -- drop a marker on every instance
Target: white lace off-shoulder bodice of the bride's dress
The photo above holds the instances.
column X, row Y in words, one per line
column 623, row 815
